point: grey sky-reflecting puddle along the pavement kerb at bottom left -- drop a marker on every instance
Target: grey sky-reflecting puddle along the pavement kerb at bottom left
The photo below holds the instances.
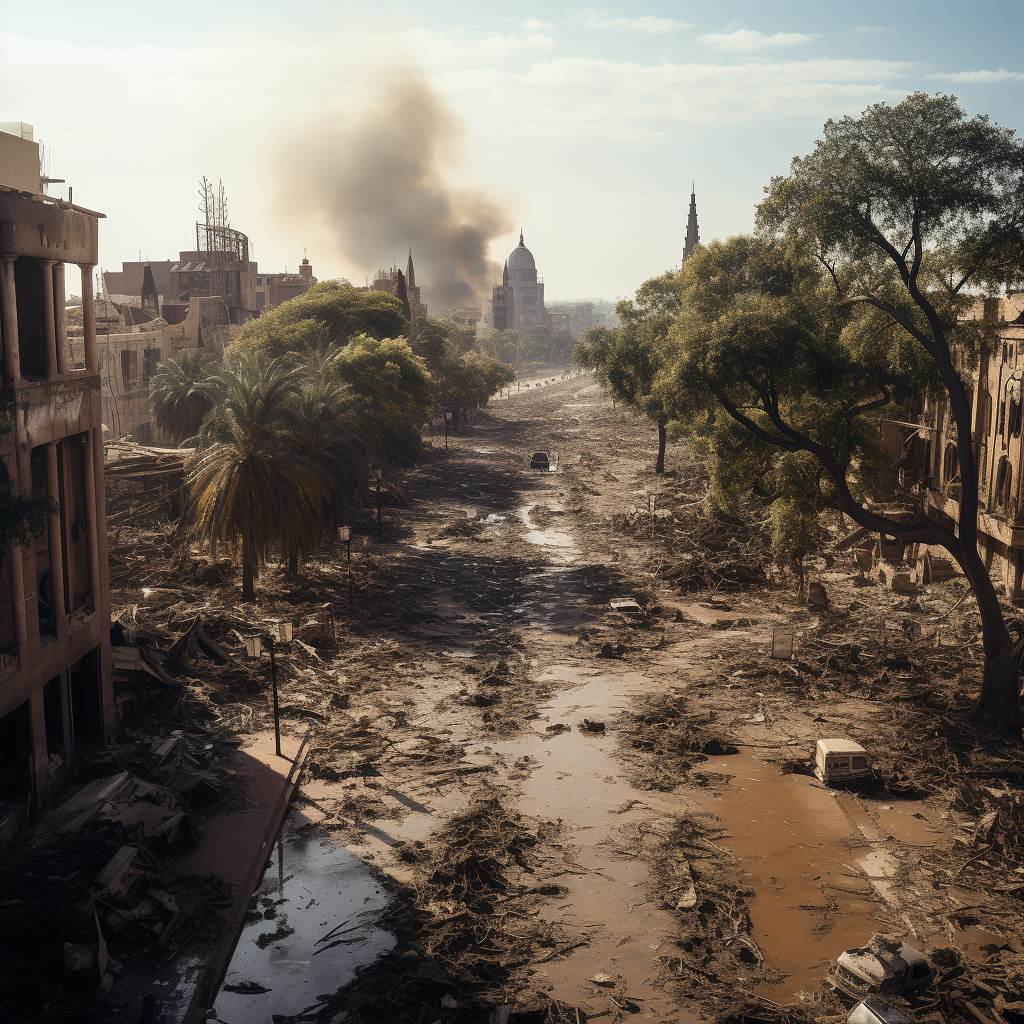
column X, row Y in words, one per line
column 318, row 889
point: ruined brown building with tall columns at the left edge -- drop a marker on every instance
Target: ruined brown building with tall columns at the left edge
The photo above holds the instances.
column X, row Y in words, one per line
column 56, row 688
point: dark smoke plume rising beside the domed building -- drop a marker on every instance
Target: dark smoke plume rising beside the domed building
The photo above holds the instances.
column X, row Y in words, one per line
column 380, row 183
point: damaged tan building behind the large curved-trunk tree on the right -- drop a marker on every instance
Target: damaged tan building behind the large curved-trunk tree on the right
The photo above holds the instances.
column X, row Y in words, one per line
column 925, row 456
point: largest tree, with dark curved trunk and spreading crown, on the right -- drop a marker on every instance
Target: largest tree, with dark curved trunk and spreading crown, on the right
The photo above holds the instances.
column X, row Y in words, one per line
column 902, row 210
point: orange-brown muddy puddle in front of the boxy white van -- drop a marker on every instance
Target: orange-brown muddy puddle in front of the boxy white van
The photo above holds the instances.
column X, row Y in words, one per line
column 799, row 848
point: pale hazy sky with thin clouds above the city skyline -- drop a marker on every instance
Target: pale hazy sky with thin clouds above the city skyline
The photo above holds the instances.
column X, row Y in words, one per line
column 584, row 125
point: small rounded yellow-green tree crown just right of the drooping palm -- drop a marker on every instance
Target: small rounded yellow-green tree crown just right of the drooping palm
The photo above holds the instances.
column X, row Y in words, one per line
column 390, row 392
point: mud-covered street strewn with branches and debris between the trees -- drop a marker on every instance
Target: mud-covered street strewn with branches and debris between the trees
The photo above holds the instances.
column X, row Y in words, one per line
column 584, row 815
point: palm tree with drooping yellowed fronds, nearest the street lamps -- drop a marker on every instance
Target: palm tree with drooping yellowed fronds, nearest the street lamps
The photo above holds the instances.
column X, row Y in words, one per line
column 253, row 486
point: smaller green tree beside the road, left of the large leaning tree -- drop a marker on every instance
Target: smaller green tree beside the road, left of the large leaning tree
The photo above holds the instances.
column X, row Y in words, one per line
column 629, row 361
